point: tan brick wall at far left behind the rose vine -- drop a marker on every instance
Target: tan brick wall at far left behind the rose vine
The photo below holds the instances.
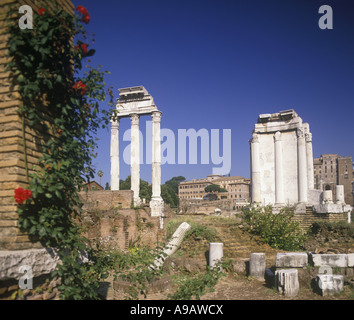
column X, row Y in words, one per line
column 12, row 161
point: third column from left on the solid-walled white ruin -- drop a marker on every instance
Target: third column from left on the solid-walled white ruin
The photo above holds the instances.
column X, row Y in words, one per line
column 302, row 166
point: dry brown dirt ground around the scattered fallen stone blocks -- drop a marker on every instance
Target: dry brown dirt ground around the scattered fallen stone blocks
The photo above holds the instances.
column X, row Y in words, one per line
column 236, row 286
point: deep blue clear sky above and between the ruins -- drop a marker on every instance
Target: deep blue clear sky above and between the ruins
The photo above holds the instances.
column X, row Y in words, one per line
column 219, row 64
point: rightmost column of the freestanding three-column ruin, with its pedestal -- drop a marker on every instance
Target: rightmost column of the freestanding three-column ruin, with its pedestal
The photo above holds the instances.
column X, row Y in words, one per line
column 156, row 203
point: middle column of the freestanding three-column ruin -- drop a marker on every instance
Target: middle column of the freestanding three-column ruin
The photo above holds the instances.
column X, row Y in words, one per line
column 135, row 158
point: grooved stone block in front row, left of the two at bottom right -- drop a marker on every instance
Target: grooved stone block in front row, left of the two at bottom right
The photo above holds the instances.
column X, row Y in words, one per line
column 287, row 282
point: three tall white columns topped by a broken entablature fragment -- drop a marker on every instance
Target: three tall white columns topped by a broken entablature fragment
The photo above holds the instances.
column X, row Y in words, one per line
column 135, row 102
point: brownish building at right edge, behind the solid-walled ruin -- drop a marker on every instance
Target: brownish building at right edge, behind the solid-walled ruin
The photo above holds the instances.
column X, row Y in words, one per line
column 331, row 170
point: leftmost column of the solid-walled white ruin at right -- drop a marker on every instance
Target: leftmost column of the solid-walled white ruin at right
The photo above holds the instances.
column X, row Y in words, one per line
column 255, row 170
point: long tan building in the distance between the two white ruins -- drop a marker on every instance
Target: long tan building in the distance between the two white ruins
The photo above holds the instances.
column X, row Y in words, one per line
column 238, row 189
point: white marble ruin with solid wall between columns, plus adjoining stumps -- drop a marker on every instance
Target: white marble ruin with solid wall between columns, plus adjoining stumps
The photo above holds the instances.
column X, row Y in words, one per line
column 282, row 171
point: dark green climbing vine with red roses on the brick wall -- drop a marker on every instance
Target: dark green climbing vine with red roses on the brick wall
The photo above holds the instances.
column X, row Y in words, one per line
column 61, row 95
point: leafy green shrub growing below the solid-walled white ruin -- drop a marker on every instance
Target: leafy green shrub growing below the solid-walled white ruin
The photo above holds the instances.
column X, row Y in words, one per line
column 276, row 229
